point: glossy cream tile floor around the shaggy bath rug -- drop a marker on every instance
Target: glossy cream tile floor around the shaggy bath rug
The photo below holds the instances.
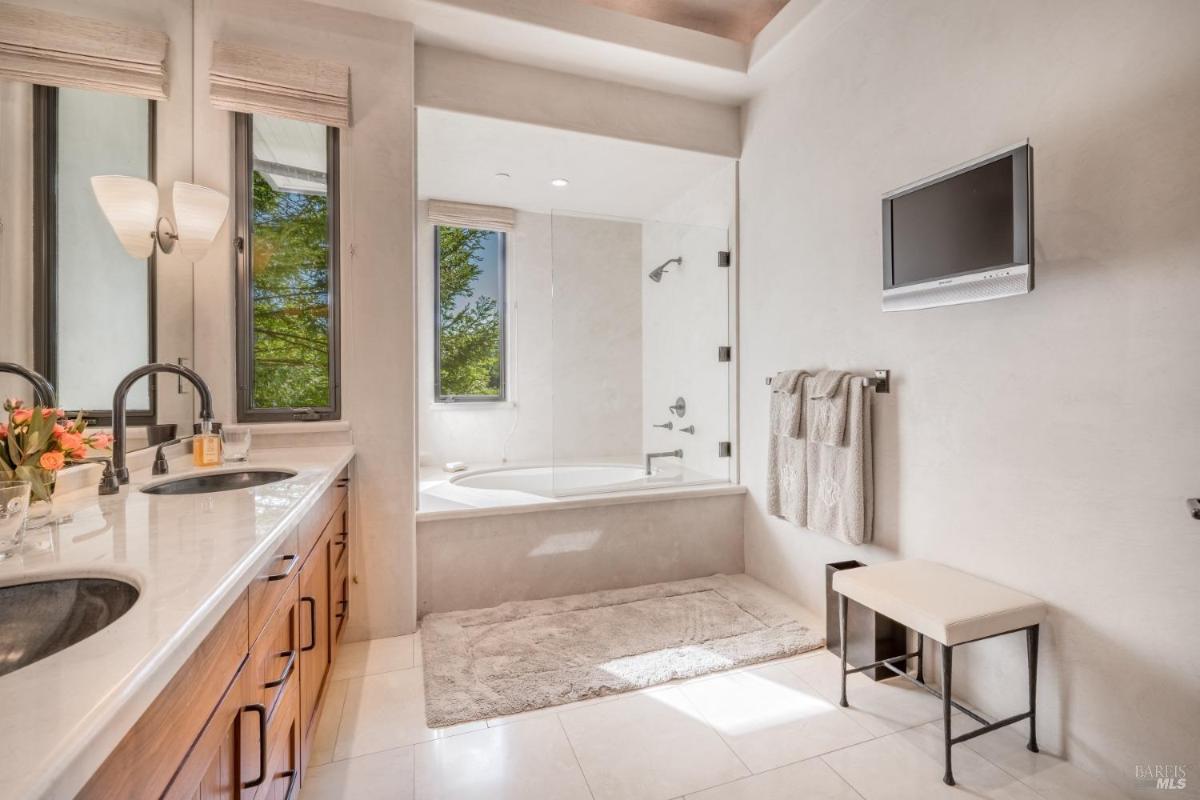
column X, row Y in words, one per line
column 770, row 732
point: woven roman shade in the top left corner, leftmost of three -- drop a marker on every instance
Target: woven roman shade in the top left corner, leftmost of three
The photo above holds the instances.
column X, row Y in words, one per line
column 57, row 50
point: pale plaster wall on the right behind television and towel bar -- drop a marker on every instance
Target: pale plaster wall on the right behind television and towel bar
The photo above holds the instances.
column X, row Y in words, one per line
column 1047, row 442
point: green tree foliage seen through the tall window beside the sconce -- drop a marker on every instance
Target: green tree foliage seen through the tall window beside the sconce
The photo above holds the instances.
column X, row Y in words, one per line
column 291, row 298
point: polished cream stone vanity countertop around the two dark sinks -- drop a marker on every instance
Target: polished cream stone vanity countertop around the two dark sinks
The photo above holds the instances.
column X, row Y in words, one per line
column 190, row 557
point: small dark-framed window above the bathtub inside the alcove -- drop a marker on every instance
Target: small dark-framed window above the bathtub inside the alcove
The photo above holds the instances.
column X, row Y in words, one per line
column 470, row 316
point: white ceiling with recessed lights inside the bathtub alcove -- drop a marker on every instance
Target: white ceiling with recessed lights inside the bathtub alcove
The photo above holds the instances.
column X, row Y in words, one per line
column 459, row 157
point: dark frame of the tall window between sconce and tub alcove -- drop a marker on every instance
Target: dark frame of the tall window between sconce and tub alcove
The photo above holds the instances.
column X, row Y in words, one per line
column 244, row 226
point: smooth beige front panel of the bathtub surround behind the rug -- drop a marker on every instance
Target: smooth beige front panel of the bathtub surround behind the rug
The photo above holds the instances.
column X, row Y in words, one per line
column 479, row 558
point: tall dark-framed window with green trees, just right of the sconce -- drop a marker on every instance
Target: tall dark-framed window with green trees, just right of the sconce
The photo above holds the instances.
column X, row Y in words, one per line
column 287, row 270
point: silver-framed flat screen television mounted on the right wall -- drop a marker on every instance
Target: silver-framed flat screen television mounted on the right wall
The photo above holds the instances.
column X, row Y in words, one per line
column 962, row 236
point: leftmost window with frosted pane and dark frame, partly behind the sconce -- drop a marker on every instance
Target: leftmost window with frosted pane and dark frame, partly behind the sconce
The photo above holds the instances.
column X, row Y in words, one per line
column 95, row 304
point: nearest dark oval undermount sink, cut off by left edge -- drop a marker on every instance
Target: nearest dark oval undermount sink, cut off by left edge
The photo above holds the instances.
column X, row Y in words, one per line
column 39, row 619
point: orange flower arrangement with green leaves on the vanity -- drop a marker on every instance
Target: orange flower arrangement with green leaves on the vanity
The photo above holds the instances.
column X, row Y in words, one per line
column 37, row 443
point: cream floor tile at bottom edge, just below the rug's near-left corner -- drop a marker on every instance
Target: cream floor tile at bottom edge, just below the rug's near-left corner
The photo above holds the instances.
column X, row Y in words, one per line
column 525, row 760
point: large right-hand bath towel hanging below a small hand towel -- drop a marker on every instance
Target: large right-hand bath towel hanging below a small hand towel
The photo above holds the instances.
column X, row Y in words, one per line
column 841, row 482
